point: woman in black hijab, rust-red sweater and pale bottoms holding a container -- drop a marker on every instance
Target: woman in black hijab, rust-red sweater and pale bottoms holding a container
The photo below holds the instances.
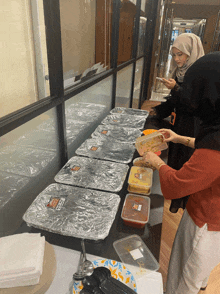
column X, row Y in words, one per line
column 196, row 248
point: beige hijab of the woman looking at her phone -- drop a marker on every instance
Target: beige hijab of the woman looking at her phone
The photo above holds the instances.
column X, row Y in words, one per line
column 191, row 45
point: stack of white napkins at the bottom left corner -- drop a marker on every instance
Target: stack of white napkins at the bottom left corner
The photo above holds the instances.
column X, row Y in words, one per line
column 21, row 260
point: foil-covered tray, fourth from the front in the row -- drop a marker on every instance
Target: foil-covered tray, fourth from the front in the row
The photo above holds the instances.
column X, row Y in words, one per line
column 111, row 132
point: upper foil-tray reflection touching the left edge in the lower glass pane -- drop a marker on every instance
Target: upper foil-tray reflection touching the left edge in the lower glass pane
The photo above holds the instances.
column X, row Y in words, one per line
column 24, row 161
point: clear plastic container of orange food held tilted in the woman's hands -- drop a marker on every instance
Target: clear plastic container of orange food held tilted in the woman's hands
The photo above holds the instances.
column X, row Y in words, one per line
column 153, row 142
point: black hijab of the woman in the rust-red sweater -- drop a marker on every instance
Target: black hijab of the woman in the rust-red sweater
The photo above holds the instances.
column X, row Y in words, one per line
column 201, row 93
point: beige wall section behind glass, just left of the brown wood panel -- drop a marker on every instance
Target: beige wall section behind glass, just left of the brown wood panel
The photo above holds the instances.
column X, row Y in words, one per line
column 78, row 34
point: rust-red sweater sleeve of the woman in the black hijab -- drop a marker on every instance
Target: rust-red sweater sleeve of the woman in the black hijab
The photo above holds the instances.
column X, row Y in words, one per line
column 197, row 174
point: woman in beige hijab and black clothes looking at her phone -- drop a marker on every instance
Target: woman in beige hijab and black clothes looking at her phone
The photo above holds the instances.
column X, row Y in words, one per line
column 186, row 49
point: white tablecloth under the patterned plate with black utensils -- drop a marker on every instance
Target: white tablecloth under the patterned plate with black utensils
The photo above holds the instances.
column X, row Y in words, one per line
column 67, row 262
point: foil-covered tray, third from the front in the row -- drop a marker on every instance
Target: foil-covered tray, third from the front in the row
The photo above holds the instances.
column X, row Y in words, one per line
column 106, row 149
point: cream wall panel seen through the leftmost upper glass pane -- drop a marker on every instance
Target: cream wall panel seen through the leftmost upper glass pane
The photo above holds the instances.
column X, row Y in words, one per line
column 18, row 81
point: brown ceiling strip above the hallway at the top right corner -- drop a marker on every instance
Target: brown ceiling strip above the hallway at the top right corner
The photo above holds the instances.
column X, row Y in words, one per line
column 192, row 9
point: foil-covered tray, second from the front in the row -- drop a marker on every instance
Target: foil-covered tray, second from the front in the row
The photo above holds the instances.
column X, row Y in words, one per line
column 93, row 173
